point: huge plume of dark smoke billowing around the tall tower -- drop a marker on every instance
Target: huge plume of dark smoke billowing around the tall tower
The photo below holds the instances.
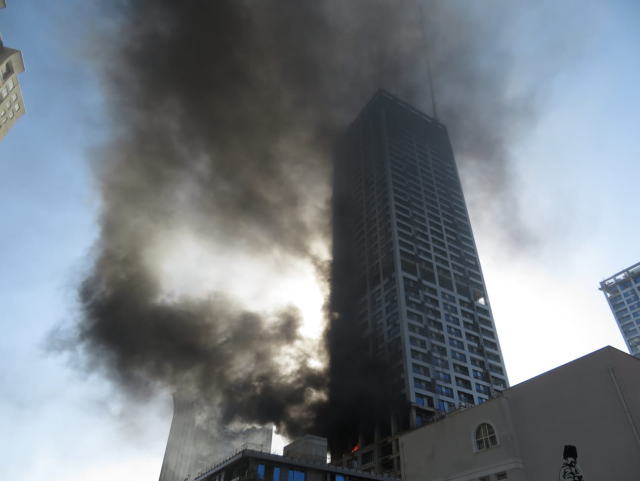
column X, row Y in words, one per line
column 224, row 115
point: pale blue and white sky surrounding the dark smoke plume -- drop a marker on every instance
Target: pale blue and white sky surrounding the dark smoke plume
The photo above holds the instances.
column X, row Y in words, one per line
column 576, row 182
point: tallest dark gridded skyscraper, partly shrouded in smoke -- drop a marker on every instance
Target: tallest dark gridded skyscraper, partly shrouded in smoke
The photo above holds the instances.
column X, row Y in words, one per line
column 403, row 244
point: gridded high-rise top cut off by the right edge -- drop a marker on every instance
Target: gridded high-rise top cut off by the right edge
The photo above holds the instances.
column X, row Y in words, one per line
column 622, row 290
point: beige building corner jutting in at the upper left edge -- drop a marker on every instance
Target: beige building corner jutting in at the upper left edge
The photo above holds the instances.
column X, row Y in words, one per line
column 11, row 103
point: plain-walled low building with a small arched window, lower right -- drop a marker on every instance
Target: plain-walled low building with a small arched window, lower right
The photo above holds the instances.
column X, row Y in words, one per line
column 581, row 419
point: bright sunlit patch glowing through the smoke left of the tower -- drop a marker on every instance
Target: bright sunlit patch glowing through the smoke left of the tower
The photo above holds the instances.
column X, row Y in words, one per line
column 192, row 267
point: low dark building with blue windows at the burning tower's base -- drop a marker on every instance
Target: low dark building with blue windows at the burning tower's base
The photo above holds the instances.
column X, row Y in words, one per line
column 304, row 460
